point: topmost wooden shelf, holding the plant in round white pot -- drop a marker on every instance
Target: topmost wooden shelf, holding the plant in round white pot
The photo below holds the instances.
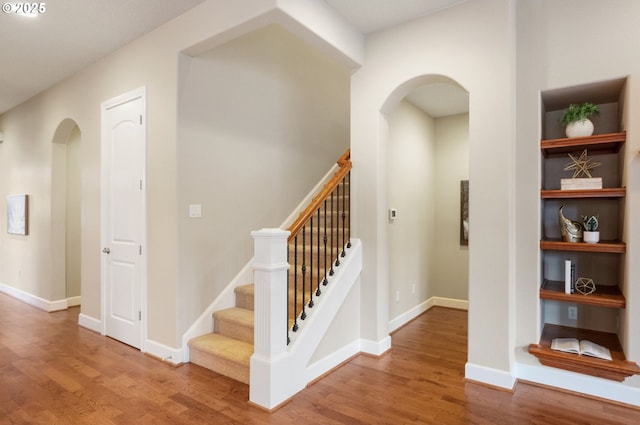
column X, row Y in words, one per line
column 603, row 143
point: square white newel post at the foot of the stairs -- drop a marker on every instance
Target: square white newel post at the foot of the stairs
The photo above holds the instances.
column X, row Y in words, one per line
column 270, row 316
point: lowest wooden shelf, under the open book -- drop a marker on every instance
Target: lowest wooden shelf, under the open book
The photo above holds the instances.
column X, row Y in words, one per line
column 618, row 369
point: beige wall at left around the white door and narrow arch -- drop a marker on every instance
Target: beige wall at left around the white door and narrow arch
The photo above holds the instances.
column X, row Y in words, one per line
column 151, row 61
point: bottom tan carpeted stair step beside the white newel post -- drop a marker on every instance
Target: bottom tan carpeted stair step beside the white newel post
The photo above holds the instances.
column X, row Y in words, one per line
column 221, row 354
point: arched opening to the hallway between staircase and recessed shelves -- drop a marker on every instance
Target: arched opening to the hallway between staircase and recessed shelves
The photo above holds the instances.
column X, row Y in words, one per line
column 427, row 162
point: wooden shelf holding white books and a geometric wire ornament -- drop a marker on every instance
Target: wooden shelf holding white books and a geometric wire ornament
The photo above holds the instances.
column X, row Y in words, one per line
column 604, row 296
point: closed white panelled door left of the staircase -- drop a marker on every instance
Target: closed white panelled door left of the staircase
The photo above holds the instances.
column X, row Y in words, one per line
column 123, row 216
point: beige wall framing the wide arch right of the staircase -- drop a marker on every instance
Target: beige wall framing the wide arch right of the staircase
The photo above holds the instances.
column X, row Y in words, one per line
column 470, row 44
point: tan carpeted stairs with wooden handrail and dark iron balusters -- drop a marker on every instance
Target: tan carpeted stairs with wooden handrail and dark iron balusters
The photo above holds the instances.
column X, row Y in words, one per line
column 229, row 348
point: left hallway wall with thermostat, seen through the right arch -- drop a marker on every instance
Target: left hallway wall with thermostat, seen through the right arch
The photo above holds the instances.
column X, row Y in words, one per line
column 411, row 191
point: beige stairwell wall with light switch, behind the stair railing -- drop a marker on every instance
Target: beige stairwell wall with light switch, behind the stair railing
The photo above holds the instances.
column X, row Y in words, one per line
column 261, row 120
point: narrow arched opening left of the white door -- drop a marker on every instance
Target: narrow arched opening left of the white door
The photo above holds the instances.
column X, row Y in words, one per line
column 66, row 185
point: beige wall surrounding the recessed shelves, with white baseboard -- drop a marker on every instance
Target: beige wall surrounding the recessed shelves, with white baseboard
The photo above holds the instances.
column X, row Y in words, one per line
column 549, row 58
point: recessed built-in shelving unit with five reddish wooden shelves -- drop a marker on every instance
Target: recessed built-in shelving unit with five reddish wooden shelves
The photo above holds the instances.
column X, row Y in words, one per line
column 602, row 261
